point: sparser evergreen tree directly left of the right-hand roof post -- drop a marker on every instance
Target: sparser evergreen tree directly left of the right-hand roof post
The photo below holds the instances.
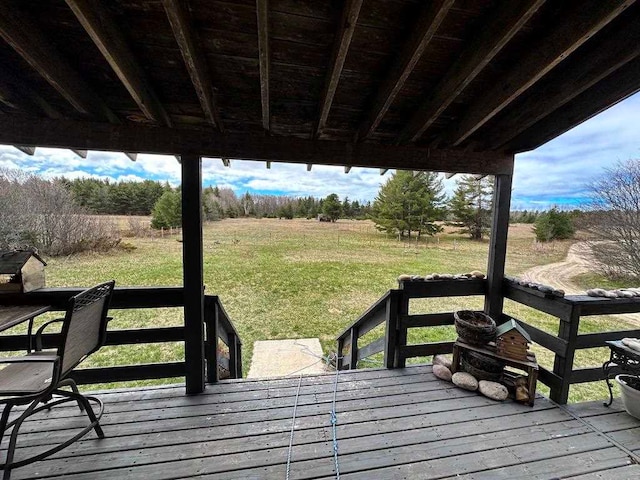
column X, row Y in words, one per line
column 471, row 205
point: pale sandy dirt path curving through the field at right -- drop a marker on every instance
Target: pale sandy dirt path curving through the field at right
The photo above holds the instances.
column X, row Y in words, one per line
column 560, row 275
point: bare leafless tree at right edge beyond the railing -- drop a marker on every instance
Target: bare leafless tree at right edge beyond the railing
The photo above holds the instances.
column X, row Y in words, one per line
column 614, row 219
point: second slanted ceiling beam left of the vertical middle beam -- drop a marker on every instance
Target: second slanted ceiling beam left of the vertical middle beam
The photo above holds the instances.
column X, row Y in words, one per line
column 98, row 22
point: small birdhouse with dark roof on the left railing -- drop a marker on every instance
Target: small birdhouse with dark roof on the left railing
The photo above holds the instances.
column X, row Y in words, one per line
column 21, row 271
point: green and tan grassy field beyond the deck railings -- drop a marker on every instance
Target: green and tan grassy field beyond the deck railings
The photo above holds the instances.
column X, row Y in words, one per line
column 300, row 278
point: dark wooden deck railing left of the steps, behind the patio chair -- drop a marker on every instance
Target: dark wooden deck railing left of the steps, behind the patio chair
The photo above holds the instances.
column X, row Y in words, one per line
column 217, row 327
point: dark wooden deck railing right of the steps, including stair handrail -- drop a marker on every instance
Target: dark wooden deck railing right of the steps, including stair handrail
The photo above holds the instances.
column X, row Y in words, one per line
column 393, row 310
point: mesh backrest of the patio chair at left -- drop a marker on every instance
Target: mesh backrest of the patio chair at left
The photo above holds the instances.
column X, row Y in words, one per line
column 85, row 325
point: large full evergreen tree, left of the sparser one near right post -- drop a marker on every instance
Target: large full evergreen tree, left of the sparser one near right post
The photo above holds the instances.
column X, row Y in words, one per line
column 409, row 201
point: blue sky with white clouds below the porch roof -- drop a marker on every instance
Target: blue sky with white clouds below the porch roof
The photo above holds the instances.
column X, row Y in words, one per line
column 554, row 174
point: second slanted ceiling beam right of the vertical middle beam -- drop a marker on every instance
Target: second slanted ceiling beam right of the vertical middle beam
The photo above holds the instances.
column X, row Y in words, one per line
column 430, row 20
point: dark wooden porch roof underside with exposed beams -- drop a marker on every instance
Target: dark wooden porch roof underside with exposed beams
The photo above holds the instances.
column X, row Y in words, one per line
column 401, row 82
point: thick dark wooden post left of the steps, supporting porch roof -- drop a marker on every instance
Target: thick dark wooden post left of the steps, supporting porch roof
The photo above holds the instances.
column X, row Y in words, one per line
column 192, row 272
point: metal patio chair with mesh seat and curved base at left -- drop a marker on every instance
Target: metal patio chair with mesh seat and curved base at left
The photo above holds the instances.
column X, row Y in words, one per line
column 34, row 379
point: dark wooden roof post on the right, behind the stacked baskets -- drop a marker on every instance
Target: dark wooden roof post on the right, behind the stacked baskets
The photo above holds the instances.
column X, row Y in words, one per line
column 494, row 299
